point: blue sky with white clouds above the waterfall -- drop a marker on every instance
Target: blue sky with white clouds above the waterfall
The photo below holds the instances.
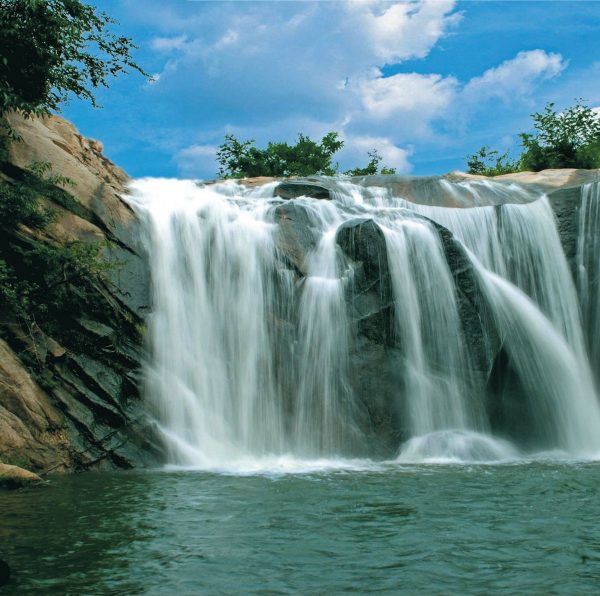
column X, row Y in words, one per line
column 424, row 82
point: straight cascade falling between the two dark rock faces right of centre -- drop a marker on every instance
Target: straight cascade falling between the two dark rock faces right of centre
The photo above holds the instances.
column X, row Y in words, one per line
column 429, row 331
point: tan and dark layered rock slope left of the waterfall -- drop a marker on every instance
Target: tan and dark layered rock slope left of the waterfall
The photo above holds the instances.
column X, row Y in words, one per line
column 69, row 396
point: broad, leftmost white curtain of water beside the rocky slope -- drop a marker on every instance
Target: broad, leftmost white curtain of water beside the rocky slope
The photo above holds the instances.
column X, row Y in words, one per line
column 211, row 377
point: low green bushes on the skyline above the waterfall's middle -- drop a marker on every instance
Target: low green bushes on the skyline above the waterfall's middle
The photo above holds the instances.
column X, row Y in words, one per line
column 241, row 159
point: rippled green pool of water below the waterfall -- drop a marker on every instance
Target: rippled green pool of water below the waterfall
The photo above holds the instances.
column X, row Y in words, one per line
column 509, row 528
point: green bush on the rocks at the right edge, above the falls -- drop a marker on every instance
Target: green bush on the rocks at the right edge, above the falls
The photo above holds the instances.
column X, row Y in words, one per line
column 568, row 139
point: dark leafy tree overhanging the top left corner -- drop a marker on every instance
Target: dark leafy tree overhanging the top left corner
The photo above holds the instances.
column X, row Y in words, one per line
column 50, row 49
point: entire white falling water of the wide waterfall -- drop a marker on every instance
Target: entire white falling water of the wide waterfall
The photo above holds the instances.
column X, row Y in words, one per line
column 250, row 366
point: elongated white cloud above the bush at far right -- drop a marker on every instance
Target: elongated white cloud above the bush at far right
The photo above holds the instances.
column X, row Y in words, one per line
column 515, row 78
